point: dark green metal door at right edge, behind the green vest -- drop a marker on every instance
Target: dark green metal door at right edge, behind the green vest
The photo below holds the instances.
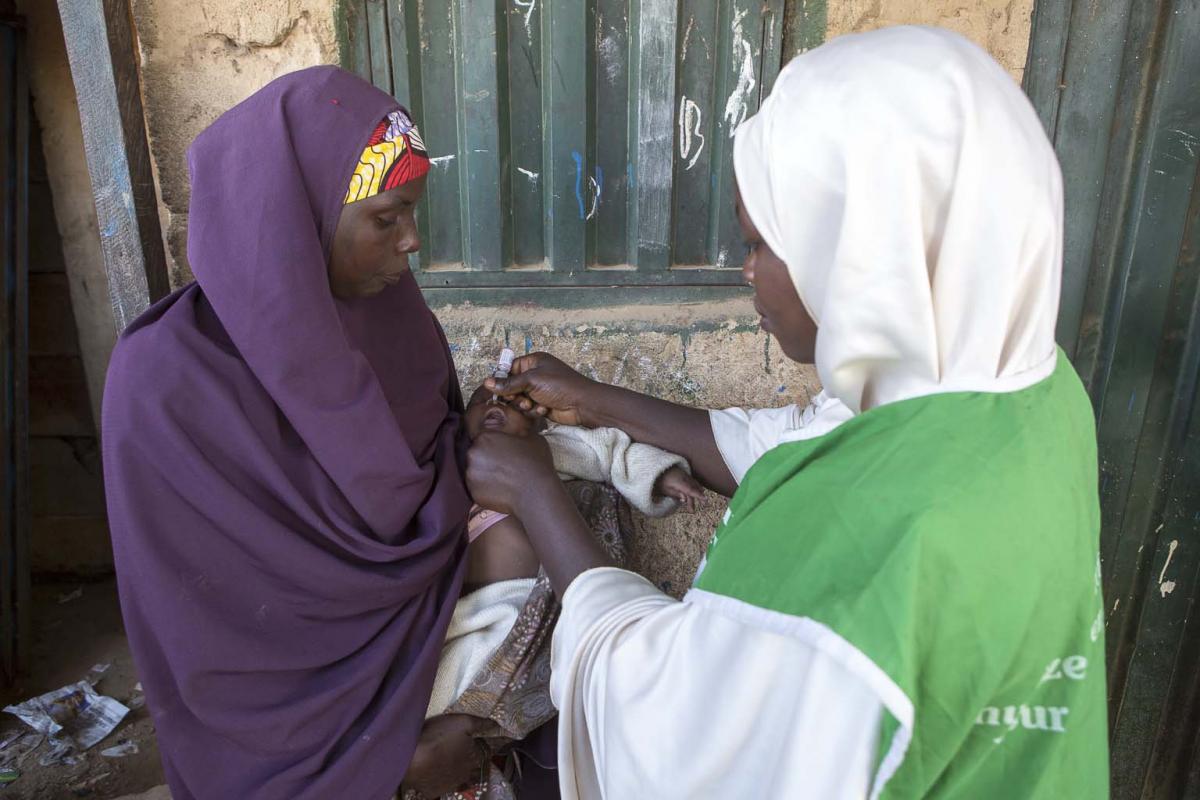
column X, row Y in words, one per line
column 1118, row 86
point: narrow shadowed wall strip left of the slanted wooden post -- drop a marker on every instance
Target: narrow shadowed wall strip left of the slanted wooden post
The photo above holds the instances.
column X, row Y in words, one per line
column 71, row 321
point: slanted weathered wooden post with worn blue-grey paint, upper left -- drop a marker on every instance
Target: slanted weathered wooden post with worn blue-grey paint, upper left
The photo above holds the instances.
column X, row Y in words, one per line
column 101, row 47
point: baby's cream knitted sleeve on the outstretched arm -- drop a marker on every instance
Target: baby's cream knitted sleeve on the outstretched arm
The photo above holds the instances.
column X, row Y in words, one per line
column 610, row 455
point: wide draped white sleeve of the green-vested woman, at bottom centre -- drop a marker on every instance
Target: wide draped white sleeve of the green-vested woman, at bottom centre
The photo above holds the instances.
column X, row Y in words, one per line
column 661, row 699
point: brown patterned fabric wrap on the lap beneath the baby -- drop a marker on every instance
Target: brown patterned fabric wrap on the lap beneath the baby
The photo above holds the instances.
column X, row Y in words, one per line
column 513, row 689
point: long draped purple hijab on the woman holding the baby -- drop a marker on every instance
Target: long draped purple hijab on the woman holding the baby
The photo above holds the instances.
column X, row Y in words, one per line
column 285, row 474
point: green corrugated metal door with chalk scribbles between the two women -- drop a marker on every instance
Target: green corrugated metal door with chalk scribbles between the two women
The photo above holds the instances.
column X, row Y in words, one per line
column 574, row 145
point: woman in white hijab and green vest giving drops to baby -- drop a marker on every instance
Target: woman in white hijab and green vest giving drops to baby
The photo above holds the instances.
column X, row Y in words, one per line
column 904, row 596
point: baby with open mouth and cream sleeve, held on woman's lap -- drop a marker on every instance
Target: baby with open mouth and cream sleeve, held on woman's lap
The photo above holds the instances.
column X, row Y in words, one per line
column 495, row 664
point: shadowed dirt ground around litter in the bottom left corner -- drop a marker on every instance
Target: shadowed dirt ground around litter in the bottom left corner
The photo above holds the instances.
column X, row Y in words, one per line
column 73, row 634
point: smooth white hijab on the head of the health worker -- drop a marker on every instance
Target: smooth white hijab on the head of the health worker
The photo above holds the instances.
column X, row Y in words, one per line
column 909, row 187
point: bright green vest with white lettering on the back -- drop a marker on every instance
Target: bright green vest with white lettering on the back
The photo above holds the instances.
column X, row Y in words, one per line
column 953, row 540
